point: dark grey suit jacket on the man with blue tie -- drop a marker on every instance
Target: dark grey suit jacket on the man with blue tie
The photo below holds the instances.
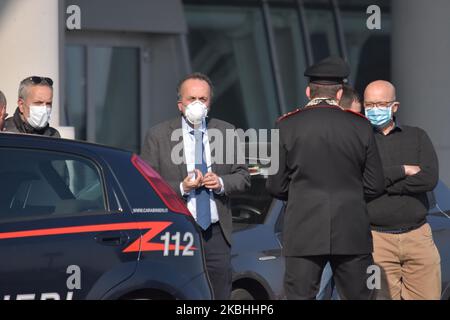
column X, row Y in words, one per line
column 157, row 151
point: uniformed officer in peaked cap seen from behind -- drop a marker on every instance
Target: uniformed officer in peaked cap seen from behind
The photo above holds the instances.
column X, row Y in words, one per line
column 329, row 166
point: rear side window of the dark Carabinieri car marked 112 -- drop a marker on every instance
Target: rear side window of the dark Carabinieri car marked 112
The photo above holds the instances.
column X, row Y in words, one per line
column 36, row 184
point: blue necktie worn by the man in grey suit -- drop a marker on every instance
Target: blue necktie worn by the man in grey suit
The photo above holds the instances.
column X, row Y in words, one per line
column 202, row 195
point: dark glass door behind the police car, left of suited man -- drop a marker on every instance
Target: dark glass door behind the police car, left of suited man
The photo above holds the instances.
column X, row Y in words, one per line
column 104, row 100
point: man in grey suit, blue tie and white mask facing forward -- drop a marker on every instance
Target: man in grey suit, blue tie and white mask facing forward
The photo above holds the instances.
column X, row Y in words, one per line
column 180, row 151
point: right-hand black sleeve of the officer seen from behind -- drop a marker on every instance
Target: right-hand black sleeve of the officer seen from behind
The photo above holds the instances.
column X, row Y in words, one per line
column 373, row 178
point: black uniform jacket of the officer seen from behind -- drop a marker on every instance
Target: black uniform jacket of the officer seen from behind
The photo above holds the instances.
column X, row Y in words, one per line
column 329, row 164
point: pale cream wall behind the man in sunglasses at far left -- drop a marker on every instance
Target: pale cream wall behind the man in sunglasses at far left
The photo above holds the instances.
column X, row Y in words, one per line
column 29, row 42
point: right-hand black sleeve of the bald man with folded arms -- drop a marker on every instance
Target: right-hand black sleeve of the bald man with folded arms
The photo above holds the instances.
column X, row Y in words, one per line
column 428, row 176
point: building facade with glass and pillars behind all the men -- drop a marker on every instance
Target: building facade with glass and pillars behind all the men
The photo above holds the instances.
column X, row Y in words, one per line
column 116, row 74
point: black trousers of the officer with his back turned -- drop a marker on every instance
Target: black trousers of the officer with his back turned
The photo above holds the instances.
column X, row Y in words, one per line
column 303, row 274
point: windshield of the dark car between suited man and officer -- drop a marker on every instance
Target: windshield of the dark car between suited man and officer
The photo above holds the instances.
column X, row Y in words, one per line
column 251, row 207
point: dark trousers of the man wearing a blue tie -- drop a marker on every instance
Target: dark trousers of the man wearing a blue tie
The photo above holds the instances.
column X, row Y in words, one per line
column 218, row 261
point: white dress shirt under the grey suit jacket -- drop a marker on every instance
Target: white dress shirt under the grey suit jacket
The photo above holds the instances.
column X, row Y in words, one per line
column 189, row 154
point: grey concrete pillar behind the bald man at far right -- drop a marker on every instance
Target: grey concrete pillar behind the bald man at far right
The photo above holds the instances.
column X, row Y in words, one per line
column 421, row 70
